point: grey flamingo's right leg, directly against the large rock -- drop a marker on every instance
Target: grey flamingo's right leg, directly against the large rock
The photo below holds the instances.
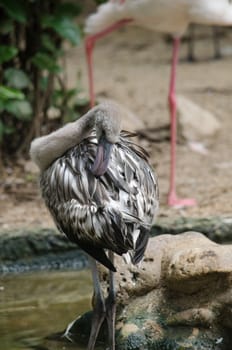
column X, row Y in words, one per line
column 111, row 306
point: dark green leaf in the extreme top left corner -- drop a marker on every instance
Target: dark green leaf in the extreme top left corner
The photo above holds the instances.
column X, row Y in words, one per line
column 15, row 9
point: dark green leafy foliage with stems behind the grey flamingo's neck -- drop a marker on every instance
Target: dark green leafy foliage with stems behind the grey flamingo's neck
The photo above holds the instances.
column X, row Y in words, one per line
column 32, row 34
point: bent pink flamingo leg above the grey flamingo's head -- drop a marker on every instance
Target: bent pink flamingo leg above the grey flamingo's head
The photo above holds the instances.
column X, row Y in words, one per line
column 89, row 46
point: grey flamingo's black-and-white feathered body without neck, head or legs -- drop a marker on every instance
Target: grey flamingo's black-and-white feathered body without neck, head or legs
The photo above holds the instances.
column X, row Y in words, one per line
column 111, row 212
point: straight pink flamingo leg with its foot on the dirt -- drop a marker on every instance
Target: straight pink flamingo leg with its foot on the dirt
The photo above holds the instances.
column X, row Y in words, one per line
column 173, row 200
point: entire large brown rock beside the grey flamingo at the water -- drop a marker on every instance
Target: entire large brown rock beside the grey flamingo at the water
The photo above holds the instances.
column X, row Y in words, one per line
column 180, row 297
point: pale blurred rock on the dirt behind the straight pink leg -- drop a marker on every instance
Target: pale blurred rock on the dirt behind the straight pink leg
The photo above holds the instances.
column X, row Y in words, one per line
column 194, row 122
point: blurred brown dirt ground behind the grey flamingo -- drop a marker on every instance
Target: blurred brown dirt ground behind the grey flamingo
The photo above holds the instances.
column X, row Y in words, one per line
column 132, row 66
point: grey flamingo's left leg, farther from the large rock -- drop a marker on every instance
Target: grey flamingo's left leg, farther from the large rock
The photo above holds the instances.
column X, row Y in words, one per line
column 99, row 308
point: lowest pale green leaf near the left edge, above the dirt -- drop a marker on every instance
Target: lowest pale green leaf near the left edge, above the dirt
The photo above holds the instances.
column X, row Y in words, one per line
column 20, row 109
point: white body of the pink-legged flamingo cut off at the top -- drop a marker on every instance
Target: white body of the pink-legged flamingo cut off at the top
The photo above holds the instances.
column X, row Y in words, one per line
column 167, row 16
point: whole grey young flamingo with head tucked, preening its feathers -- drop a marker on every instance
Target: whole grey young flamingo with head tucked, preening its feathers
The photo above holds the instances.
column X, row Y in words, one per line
column 102, row 194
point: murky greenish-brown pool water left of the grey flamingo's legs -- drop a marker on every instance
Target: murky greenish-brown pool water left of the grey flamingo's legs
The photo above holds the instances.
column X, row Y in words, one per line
column 34, row 306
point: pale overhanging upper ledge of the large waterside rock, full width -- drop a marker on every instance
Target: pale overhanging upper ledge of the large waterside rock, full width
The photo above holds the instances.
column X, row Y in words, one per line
column 187, row 262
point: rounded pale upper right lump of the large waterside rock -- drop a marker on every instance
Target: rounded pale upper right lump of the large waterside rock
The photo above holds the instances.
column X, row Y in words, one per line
column 201, row 266
